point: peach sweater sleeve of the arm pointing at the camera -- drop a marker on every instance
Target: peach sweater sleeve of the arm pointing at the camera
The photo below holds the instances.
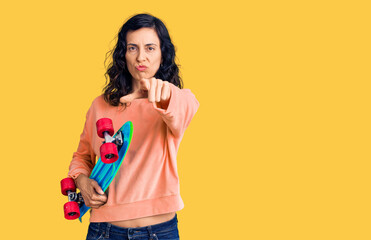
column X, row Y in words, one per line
column 180, row 111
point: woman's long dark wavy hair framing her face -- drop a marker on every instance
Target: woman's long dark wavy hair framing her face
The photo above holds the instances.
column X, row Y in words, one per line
column 119, row 80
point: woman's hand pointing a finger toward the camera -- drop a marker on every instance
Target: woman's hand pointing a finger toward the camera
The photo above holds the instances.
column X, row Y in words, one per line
column 156, row 90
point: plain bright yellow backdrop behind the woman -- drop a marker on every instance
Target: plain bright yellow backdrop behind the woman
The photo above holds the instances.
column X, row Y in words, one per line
column 280, row 146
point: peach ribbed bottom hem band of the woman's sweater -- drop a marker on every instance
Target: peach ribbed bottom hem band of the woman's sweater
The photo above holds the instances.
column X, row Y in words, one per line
column 137, row 209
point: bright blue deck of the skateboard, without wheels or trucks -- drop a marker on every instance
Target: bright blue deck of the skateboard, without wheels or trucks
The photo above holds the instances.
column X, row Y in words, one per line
column 104, row 173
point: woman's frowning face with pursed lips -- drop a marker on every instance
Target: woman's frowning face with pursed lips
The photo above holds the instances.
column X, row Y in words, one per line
column 143, row 53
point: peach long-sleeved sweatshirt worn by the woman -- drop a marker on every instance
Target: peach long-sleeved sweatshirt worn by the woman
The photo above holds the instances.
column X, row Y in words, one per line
column 147, row 182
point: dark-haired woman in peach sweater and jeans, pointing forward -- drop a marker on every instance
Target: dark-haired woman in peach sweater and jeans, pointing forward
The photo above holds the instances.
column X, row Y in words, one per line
column 144, row 87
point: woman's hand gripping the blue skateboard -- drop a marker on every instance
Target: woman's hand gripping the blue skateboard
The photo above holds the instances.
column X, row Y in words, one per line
column 92, row 193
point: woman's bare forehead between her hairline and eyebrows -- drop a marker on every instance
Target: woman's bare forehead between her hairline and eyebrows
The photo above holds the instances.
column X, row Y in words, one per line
column 143, row 35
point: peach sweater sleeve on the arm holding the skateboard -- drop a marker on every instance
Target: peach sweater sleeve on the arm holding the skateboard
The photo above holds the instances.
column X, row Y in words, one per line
column 83, row 160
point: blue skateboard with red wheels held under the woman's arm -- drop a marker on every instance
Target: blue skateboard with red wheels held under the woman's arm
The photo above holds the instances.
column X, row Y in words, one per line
column 112, row 154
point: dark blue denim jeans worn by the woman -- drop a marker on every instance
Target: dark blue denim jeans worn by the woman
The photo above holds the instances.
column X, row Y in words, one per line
column 166, row 230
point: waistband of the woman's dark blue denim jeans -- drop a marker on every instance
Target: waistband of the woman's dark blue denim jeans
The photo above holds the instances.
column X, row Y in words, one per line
column 108, row 227
